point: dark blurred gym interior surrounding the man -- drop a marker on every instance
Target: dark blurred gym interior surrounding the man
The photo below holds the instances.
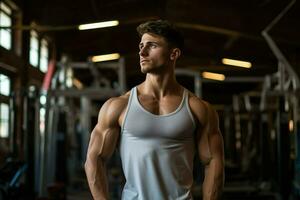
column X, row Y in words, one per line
column 56, row 71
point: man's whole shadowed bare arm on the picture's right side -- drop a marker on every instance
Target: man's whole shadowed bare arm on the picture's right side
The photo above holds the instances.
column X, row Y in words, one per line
column 211, row 152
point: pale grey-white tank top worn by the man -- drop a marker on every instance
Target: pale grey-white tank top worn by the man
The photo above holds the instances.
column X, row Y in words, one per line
column 157, row 152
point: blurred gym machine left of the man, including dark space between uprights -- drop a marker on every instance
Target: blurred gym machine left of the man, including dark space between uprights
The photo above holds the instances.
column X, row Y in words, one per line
column 60, row 141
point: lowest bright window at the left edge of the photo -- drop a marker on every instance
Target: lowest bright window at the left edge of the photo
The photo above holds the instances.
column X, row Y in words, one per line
column 4, row 120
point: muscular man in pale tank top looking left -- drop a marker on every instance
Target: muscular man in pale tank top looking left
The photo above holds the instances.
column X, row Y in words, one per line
column 159, row 125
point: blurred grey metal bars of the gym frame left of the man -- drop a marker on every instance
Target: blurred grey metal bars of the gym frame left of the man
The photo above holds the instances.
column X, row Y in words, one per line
column 56, row 100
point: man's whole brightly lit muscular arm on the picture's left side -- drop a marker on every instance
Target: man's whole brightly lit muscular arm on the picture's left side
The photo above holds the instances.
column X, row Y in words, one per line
column 102, row 144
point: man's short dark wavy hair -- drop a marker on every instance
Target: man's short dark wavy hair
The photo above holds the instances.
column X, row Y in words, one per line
column 165, row 29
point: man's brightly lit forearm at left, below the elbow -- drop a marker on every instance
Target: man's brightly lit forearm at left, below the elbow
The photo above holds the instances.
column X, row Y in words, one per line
column 96, row 175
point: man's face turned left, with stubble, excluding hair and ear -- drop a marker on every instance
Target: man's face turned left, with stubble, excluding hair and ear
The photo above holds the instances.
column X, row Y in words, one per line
column 154, row 53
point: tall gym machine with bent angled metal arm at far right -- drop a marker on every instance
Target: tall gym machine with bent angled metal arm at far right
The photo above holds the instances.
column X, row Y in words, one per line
column 288, row 82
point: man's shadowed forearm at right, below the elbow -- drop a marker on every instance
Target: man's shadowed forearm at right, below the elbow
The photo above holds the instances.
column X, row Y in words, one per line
column 213, row 180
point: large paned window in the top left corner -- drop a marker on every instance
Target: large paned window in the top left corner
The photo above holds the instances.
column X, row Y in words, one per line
column 5, row 20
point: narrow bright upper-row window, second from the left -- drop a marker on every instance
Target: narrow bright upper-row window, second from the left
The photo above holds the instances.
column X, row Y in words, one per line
column 34, row 49
